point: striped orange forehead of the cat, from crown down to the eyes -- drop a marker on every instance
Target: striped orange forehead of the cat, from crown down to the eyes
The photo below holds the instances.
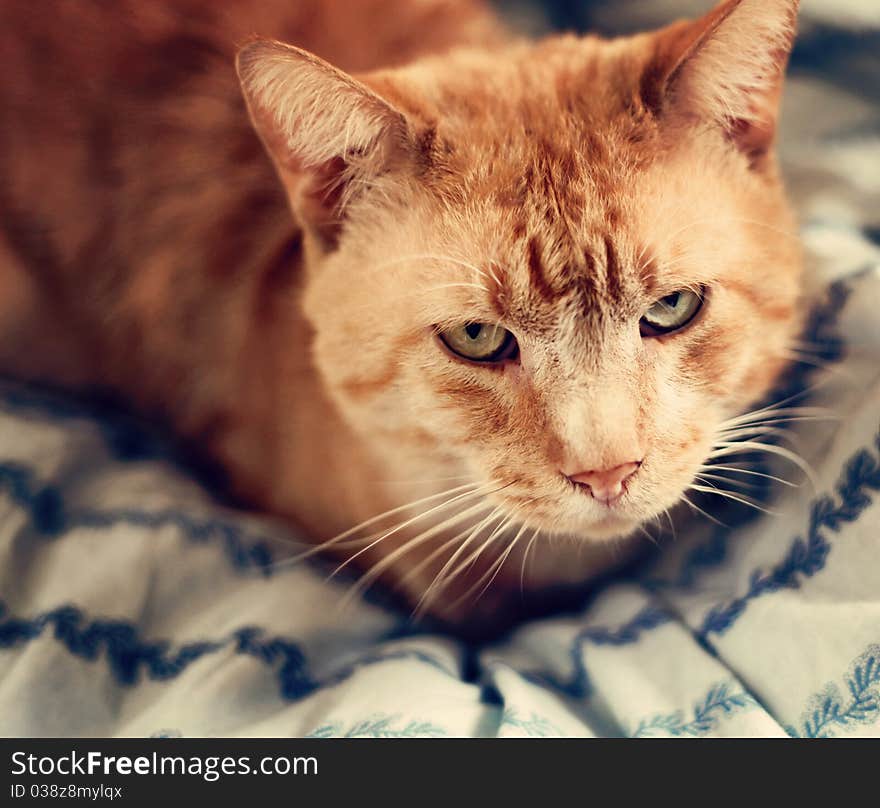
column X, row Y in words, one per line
column 549, row 163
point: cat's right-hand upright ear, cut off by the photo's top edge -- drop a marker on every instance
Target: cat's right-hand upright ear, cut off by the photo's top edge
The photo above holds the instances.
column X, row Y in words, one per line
column 728, row 68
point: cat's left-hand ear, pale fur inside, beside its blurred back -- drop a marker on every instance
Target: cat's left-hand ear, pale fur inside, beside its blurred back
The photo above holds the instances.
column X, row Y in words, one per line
column 328, row 135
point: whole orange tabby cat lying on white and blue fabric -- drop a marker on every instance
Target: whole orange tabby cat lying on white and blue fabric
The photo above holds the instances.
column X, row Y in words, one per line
column 525, row 285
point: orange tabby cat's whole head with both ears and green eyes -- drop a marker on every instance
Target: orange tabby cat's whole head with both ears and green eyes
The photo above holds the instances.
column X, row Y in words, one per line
column 557, row 268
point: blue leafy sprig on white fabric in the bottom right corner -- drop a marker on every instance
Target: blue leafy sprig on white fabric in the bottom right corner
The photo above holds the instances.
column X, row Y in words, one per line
column 830, row 710
